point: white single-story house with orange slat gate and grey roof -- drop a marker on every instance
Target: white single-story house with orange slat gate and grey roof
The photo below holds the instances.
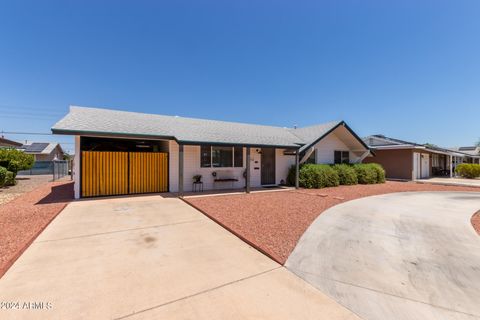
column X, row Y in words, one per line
column 119, row 152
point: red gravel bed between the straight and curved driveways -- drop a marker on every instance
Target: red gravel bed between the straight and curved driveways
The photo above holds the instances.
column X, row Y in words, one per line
column 273, row 222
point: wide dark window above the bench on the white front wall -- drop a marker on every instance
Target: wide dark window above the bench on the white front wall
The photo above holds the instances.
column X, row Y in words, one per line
column 221, row 157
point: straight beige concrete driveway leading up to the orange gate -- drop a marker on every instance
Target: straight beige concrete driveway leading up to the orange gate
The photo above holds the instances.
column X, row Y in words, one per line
column 151, row 258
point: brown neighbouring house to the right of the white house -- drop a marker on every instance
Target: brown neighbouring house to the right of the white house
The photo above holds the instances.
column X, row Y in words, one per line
column 404, row 160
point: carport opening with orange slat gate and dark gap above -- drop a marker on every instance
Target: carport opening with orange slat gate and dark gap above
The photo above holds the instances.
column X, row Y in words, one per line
column 122, row 167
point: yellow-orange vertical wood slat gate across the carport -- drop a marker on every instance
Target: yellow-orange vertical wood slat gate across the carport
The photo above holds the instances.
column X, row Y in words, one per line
column 116, row 173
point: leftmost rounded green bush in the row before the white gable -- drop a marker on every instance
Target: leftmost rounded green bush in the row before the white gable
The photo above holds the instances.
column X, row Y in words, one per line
column 318, row 176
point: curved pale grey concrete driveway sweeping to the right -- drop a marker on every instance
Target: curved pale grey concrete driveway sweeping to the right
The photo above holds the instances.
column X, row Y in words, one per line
column 396, row 256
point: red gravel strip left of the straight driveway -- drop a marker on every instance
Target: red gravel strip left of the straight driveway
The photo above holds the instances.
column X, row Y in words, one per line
column 22, row 219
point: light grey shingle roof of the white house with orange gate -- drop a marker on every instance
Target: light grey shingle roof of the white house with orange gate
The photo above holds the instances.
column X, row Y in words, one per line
column 82, row 120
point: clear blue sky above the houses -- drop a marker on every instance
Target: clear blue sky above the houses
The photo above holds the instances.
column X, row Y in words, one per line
column 408, row 69
